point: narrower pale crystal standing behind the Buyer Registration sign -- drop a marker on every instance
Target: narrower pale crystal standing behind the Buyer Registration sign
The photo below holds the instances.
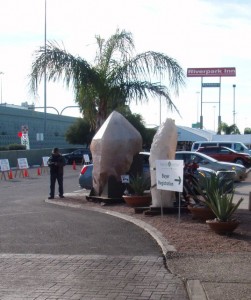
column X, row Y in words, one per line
column 163, row 148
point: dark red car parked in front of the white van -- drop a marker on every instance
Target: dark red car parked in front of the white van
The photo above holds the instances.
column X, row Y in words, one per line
column 226, row 154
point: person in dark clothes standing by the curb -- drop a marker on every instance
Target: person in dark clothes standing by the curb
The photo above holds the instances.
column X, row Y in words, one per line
column 56, row 163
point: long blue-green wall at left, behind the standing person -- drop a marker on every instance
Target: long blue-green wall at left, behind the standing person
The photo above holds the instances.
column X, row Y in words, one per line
column 12, row 120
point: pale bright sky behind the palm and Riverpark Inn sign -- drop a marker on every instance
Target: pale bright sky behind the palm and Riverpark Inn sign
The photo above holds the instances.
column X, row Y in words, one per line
column 196, row 33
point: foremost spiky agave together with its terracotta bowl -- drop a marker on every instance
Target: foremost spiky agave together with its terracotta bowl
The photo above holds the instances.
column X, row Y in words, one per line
column 222, row 205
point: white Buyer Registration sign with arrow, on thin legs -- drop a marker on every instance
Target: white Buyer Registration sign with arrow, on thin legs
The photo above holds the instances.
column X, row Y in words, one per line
column 169, row 176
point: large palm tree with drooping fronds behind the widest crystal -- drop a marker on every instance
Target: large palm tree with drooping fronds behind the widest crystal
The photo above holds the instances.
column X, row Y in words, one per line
column 116, row 78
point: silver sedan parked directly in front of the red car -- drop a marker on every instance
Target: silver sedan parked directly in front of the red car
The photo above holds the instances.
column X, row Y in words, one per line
column 204, row 160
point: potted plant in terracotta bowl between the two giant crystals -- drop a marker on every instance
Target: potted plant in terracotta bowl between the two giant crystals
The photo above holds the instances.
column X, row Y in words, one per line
column 136, row 194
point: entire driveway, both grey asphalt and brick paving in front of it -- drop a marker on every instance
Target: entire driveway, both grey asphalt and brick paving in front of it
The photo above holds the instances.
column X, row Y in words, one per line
column 53, row 252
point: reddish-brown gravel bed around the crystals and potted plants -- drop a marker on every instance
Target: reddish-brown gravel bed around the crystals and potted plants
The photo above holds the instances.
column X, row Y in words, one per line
column 188, row 235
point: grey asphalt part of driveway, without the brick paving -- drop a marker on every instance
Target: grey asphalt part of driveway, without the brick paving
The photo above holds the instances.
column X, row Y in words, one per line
column 29, row 225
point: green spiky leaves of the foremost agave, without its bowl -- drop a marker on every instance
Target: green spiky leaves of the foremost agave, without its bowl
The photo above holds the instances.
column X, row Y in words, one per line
column 220, row 202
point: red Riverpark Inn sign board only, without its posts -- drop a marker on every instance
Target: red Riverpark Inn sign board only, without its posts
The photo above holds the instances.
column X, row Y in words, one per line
column 211, row 72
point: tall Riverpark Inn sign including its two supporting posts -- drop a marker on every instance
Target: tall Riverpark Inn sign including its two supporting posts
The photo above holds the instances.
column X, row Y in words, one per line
column 211, row 72
